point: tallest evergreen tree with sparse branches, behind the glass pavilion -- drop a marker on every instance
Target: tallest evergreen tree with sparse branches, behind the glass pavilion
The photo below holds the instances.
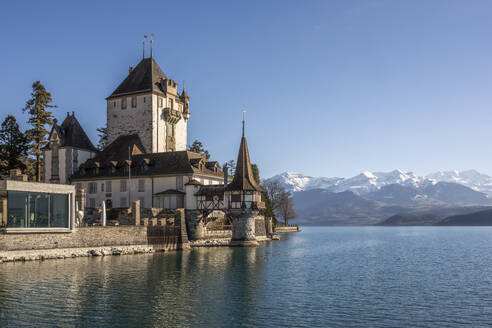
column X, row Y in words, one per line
column 39, row 116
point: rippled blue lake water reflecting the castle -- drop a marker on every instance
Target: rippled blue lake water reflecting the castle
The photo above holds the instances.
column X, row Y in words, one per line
column 321, row 277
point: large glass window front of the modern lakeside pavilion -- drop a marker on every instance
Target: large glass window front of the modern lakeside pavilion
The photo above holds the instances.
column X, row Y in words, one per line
column 37, row 210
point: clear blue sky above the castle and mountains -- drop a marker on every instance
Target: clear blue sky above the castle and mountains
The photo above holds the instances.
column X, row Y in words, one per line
column 331, row 88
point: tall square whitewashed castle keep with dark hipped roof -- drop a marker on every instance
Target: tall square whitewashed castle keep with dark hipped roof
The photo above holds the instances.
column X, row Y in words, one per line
column 148, row 103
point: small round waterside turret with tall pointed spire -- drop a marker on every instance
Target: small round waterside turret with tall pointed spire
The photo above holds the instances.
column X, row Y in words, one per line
column 243, row 199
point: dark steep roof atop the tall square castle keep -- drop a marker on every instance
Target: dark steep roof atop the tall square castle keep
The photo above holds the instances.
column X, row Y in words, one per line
column 146, row 77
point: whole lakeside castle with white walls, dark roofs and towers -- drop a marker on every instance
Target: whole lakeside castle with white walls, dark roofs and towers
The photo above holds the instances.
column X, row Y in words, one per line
column 146, row 159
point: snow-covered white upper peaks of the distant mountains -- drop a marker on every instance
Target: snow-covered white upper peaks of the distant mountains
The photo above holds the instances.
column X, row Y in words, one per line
column 372, row 181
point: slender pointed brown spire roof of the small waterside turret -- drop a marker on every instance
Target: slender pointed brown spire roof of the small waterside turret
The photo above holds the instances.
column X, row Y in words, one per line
column 243, row 177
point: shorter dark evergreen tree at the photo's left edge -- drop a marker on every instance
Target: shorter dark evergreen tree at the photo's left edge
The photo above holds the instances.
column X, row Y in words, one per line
column 13, row 145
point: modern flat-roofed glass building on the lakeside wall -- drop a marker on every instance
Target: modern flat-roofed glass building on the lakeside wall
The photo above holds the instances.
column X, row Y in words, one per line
column 32, row 207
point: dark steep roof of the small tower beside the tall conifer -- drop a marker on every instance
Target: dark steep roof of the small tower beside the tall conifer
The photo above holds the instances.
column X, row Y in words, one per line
column 72, row 134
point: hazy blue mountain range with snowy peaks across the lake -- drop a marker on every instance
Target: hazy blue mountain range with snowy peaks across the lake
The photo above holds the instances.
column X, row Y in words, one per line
column 371, row 198
